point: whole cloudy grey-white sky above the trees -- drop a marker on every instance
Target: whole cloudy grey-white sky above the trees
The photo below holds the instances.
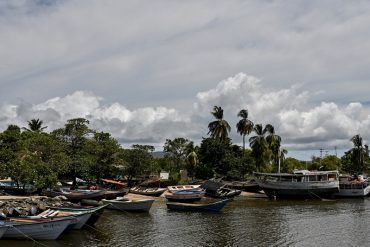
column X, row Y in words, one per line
column 146, row 71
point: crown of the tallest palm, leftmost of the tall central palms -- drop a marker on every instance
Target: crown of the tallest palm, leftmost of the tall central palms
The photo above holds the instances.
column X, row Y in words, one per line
column 220, row 128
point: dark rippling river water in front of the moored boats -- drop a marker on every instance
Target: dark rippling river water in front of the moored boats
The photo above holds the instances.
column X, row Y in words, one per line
column 243, row 222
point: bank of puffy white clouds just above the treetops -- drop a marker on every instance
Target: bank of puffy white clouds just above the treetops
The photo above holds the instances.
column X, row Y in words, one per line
column 301, row 127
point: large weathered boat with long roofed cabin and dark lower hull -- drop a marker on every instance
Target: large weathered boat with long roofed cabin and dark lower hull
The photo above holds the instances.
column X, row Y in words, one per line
column 300, row 183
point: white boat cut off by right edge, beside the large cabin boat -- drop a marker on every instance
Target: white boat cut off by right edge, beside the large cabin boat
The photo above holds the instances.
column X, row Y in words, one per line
column 350, row 186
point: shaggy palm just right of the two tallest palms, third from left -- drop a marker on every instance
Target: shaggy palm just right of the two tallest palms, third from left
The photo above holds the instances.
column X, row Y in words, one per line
column 259, row 145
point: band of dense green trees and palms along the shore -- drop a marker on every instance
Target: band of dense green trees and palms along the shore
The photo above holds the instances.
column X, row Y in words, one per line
column 29, row 155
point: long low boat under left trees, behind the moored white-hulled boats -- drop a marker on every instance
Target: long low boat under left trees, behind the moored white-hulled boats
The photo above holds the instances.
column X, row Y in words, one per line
column 76, row 195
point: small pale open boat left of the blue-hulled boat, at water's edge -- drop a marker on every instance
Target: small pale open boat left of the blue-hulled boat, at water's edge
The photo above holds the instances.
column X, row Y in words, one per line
column 126, row 204
